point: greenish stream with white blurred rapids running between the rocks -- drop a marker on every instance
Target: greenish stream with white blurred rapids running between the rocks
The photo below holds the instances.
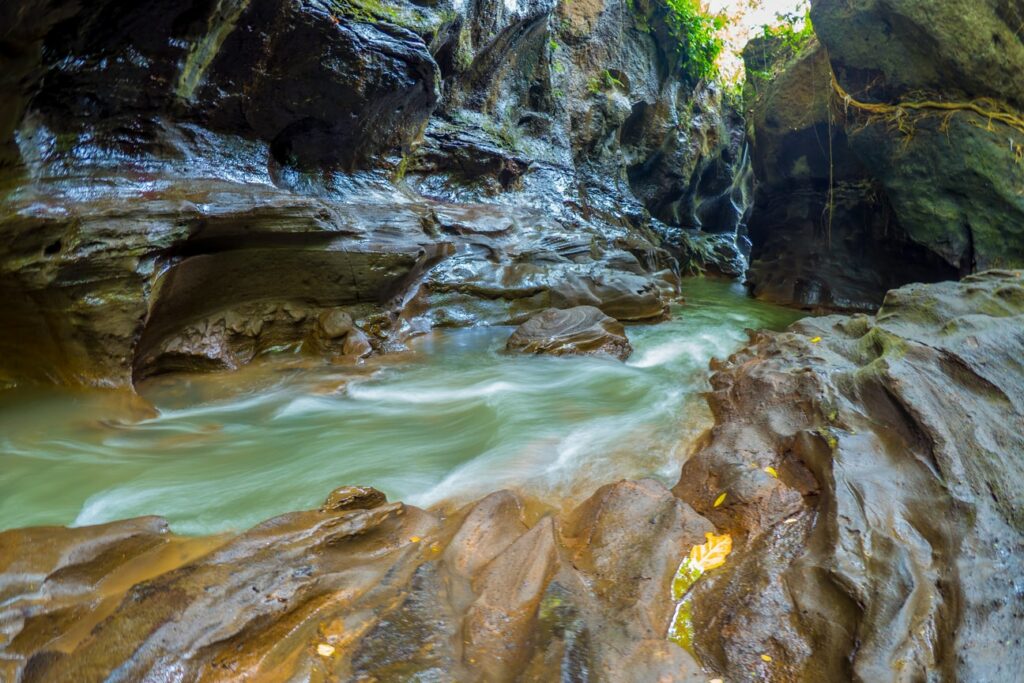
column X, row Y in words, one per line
column 452, row 420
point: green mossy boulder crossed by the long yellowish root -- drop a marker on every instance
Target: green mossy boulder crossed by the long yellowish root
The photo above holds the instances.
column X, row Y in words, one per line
column 956, row 184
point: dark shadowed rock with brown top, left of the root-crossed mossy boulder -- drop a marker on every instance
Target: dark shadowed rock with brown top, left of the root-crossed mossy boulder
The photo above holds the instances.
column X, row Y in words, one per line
column 823, row 237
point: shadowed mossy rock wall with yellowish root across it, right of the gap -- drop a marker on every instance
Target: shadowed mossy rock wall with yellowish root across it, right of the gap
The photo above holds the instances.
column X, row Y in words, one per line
column 852, row 202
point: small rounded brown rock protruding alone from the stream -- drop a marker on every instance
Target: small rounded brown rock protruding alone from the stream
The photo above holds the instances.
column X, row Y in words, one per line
column 578, row 331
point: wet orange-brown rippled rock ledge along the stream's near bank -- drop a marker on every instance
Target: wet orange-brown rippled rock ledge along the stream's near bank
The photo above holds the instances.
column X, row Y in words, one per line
column 359, row 590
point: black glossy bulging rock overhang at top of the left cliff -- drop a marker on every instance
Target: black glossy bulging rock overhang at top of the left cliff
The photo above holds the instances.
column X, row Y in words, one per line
column 355, row 91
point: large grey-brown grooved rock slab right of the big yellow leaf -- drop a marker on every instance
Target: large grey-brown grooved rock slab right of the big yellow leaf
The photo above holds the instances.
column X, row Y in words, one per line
column 891, row 544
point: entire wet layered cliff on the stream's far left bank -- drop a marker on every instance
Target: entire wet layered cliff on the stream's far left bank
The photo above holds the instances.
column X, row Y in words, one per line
column 188, row 187
